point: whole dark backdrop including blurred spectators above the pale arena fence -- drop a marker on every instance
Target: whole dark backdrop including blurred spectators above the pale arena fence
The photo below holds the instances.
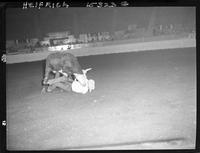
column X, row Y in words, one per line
column 29, row 30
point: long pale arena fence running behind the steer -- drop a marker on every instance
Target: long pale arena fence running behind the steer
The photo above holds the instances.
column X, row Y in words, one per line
column 117, row 48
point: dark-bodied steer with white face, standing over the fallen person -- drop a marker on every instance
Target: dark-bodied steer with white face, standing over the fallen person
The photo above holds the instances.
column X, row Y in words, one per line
column 66, row 62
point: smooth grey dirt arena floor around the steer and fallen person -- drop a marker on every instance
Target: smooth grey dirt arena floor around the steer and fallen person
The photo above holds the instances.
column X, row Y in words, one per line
column 141, row 100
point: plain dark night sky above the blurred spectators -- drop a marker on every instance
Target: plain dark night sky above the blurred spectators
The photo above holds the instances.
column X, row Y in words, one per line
column 35, row 23
